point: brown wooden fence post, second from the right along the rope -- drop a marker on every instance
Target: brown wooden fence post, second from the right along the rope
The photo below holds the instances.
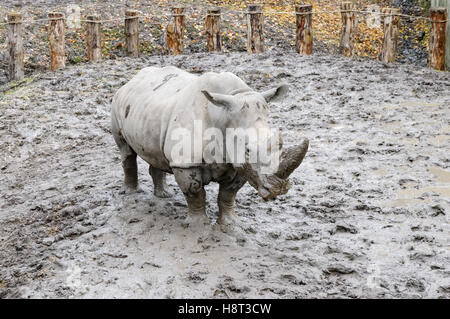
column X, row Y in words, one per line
column 391, row 22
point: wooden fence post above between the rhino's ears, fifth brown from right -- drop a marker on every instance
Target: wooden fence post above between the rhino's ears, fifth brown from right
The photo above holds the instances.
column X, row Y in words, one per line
column 255, row 36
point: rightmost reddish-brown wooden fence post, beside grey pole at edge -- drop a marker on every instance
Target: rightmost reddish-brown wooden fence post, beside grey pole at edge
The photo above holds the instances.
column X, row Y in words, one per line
column 437, row 38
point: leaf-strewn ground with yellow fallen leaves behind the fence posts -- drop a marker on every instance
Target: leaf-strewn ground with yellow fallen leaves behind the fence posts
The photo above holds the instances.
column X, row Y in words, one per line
column 279, row 19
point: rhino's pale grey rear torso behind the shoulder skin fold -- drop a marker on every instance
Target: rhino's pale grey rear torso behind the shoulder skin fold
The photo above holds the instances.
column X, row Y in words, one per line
column 142, row 108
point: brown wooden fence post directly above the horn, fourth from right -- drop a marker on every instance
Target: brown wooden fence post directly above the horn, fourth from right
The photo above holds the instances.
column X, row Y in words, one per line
column 304, row 38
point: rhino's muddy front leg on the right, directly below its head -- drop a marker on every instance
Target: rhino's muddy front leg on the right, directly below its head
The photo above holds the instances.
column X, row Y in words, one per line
column 226, row 200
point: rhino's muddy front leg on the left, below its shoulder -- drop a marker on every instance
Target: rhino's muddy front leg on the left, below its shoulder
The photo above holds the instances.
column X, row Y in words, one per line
column 190, row 182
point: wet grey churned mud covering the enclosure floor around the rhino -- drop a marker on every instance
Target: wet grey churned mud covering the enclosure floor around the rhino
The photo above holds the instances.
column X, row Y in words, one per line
column 367, row 215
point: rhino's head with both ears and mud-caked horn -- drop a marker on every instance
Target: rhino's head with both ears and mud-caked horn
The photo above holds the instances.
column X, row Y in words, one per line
column 247, row 109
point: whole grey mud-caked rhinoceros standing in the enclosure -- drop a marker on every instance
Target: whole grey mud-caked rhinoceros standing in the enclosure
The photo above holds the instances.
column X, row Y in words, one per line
column 156, row 102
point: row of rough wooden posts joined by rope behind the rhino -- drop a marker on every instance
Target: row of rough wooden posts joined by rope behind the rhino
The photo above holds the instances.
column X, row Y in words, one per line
column 255, row 35
